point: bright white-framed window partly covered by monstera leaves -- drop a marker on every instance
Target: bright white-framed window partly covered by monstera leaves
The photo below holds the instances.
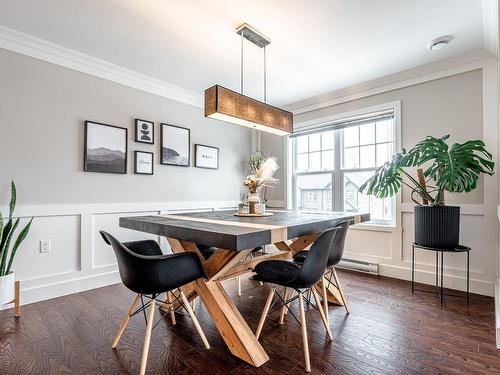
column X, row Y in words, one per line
column 330, row 164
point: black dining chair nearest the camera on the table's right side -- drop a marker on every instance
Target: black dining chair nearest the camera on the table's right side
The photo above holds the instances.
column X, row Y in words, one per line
column 300, row 278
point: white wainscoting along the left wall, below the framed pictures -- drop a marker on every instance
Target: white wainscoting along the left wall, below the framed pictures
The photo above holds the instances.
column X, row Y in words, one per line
column 79, row 260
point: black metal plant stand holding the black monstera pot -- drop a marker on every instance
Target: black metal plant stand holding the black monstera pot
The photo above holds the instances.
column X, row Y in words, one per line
column 439, row 276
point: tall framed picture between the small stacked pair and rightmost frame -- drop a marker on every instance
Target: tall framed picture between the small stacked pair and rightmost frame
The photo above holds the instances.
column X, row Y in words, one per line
column 174, row 145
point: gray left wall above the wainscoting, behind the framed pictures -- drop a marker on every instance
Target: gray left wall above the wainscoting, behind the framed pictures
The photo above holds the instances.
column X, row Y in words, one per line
column 42, row 109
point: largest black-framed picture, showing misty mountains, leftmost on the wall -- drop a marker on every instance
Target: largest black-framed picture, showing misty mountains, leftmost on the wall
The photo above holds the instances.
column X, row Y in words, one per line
column 105, row 148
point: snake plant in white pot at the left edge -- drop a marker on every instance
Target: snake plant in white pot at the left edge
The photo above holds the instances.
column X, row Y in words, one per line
column 7, row 254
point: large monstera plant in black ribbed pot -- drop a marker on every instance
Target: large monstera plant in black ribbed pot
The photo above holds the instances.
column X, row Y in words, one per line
column 440, row 168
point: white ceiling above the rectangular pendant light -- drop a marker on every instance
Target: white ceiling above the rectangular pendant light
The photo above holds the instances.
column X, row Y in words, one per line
column 317, row 45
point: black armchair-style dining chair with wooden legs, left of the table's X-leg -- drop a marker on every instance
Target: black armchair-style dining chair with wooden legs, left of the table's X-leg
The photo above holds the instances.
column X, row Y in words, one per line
column 146, row 271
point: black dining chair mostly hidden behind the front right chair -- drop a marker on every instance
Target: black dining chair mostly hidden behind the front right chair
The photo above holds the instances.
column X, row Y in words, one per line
column 336, row 252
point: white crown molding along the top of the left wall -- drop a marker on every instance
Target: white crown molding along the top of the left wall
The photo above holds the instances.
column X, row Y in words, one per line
column 44, row 50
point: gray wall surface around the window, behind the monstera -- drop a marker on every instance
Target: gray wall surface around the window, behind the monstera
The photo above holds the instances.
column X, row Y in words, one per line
column 451, row 105
